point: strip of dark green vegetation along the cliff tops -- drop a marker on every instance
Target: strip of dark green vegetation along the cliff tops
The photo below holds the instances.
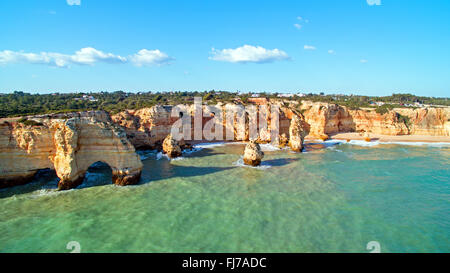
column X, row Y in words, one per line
column 21, row 104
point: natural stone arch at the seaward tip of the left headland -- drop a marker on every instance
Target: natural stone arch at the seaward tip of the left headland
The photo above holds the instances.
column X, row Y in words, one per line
column 92, row 143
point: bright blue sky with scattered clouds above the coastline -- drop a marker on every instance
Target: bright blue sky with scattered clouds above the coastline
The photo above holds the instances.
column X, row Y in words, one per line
column 330, row 46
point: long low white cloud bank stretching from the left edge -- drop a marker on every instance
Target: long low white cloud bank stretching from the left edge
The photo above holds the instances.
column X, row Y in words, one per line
column 84, row 56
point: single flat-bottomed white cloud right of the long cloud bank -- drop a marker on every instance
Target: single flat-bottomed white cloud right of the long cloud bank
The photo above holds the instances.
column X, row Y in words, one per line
column 248, row 54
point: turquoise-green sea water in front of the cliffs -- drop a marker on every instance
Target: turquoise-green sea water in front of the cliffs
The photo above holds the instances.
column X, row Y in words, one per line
column 334, row 198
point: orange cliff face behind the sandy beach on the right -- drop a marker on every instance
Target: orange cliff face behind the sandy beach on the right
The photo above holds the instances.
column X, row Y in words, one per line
column 327, row 119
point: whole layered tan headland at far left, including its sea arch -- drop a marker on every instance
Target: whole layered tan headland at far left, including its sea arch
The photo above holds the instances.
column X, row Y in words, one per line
column 69, row 147
